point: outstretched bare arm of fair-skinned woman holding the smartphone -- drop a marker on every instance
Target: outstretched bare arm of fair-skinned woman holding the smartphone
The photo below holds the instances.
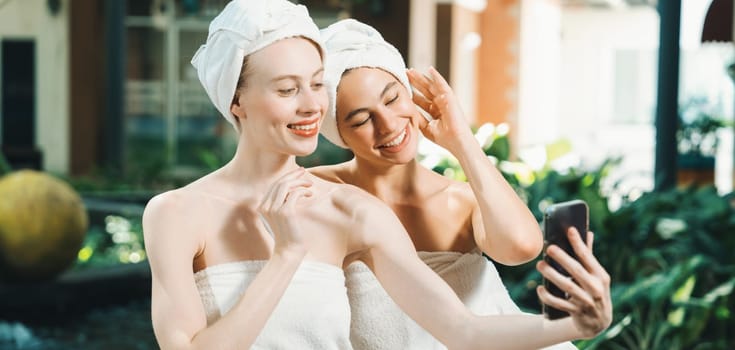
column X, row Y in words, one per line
column 427, row 299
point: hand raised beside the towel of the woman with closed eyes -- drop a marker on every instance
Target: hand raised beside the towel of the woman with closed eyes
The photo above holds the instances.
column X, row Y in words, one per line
column 449, row 127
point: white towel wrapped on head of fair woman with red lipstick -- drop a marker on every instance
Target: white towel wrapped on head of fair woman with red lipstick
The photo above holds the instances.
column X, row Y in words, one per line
column 243, row 27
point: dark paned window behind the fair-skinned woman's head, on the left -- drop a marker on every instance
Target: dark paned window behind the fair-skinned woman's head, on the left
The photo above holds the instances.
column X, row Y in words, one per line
column 169, row 119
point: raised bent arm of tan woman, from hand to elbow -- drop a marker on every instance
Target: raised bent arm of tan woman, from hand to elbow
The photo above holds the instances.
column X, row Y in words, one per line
column 503, row 226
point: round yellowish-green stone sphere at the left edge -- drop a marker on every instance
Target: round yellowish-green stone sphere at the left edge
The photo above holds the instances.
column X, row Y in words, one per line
column 43, row 223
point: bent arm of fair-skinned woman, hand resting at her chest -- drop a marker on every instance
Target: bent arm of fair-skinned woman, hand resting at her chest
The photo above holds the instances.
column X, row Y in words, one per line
column 179, row 319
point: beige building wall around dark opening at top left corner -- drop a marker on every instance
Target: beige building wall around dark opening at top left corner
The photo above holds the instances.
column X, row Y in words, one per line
column 32, row 19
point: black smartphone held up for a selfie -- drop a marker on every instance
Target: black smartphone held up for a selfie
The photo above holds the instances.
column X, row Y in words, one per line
column 558, row 218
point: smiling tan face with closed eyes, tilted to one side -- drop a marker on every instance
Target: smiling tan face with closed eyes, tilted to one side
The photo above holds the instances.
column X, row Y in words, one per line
column 376, row 116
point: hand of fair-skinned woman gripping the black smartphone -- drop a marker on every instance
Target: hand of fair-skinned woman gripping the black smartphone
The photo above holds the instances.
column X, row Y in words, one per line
column 589, row 302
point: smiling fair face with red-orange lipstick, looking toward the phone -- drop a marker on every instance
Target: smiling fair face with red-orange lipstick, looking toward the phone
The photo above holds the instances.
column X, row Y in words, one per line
column 280, row 100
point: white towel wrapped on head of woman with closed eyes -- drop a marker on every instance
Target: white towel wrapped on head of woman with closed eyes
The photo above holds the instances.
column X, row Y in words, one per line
column 352, row 44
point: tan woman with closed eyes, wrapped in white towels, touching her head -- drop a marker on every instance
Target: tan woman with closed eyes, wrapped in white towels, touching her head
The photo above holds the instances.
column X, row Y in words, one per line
column 373, row 112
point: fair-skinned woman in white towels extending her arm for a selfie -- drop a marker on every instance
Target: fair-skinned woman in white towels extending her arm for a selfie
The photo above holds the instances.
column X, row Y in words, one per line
column 251, row 255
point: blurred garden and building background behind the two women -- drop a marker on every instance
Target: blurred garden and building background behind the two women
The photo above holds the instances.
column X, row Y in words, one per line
column 627, row 104
